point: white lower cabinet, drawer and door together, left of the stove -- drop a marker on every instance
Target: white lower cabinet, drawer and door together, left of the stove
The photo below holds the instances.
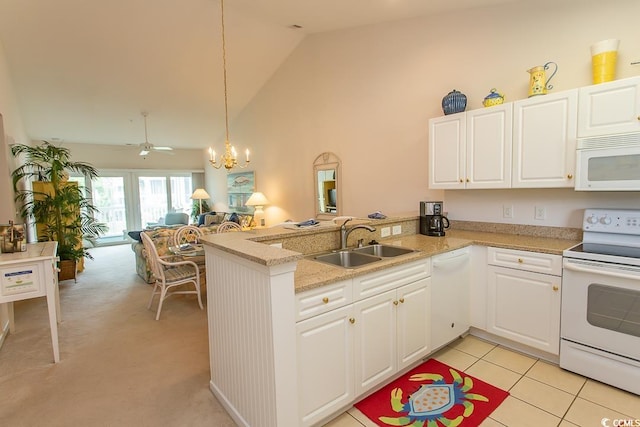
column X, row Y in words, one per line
column 523, row 304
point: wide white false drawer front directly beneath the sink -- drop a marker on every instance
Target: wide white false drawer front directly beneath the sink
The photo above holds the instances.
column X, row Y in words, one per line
column 391, row 278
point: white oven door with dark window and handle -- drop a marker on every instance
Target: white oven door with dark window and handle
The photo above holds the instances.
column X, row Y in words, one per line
column 601, row 306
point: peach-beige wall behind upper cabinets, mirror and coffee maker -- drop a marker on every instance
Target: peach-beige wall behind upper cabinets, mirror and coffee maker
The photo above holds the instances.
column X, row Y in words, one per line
column 367, row 94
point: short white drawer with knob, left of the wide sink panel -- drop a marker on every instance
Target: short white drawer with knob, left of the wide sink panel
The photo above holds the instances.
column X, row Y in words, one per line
column 323, row 299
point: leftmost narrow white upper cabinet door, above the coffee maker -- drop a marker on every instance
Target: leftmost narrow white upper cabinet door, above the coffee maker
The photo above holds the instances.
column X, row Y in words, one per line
column 447, row 139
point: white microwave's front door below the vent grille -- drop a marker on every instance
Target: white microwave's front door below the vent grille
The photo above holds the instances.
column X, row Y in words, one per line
column 608, row 169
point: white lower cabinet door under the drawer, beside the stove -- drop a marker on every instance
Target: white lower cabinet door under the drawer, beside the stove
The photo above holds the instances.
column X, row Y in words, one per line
column 524, row 307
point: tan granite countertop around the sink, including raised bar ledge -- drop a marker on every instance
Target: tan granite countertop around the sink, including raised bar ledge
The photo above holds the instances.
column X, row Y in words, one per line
column 312, row 274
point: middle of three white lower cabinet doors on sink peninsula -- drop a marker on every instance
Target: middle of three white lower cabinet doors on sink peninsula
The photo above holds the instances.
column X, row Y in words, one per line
column 375, row 340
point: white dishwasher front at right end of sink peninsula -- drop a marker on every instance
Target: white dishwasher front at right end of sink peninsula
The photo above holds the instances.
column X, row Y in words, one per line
column 450, row 290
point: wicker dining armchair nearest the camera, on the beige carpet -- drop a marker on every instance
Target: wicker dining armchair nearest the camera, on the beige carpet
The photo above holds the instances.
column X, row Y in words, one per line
column 169, row 274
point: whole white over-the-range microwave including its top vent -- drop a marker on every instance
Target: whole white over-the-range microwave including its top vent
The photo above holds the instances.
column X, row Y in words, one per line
column 610, row 163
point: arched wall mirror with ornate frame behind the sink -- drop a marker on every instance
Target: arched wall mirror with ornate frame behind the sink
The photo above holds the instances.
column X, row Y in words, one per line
column 326, row 175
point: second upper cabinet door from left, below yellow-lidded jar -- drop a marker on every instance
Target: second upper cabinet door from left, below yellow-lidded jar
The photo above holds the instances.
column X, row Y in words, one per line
column 488, row 151
